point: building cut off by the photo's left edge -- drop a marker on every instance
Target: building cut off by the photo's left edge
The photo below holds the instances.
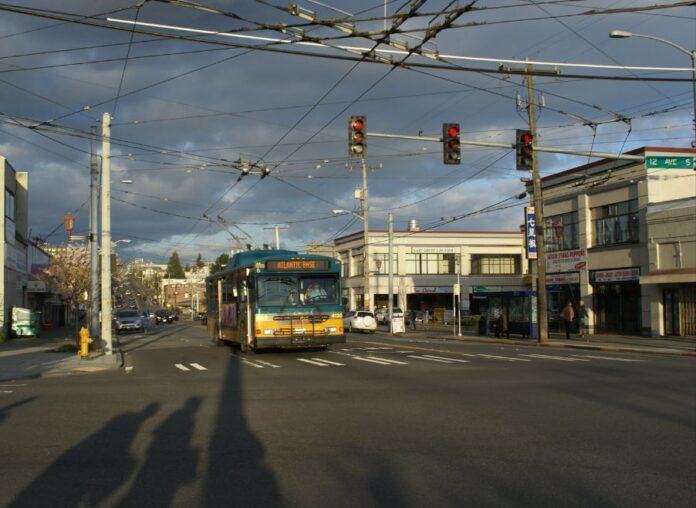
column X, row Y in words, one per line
column 13, row 238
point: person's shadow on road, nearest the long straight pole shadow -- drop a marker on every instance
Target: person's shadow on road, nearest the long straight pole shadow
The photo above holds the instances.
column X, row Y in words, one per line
column 171, row 461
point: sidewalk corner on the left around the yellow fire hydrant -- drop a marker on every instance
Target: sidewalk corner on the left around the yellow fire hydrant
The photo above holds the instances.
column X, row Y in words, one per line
column 37, row 357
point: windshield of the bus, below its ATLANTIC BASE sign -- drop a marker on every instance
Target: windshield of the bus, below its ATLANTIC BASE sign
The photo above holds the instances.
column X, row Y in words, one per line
column 289, row 290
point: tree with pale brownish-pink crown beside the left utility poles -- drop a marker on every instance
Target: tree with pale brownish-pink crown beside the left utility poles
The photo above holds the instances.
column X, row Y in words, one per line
column 69, row 275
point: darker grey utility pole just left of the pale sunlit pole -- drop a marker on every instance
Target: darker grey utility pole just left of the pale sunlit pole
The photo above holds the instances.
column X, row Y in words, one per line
column 93, row 236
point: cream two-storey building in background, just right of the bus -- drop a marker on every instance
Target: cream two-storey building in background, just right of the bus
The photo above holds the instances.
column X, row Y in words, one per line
column 426, row 264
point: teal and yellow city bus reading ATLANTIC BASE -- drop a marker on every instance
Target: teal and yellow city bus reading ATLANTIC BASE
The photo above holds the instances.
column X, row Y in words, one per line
column 276, row 299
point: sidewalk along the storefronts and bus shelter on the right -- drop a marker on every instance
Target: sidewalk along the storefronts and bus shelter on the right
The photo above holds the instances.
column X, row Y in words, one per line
column 682, row 346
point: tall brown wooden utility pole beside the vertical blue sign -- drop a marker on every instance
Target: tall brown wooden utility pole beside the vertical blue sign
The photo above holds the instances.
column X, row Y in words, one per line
column 539, row 215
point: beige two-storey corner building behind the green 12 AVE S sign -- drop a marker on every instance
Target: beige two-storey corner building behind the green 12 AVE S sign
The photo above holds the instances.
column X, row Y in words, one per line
column 621, row 235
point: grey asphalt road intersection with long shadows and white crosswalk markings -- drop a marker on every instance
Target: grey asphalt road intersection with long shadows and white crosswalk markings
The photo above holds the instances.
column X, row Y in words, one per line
column 381, row 421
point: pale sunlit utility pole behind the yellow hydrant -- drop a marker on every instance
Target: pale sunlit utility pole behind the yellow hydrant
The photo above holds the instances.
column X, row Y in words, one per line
column 106, row 235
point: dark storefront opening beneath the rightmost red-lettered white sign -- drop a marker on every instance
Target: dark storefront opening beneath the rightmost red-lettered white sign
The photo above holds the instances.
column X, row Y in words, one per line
column 617, row 300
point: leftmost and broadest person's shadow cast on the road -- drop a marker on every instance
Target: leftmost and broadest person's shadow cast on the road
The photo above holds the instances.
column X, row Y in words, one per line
column 64, row 483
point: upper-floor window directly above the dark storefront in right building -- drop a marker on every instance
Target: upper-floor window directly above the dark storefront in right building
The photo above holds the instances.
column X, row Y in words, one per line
column 615, row 224
